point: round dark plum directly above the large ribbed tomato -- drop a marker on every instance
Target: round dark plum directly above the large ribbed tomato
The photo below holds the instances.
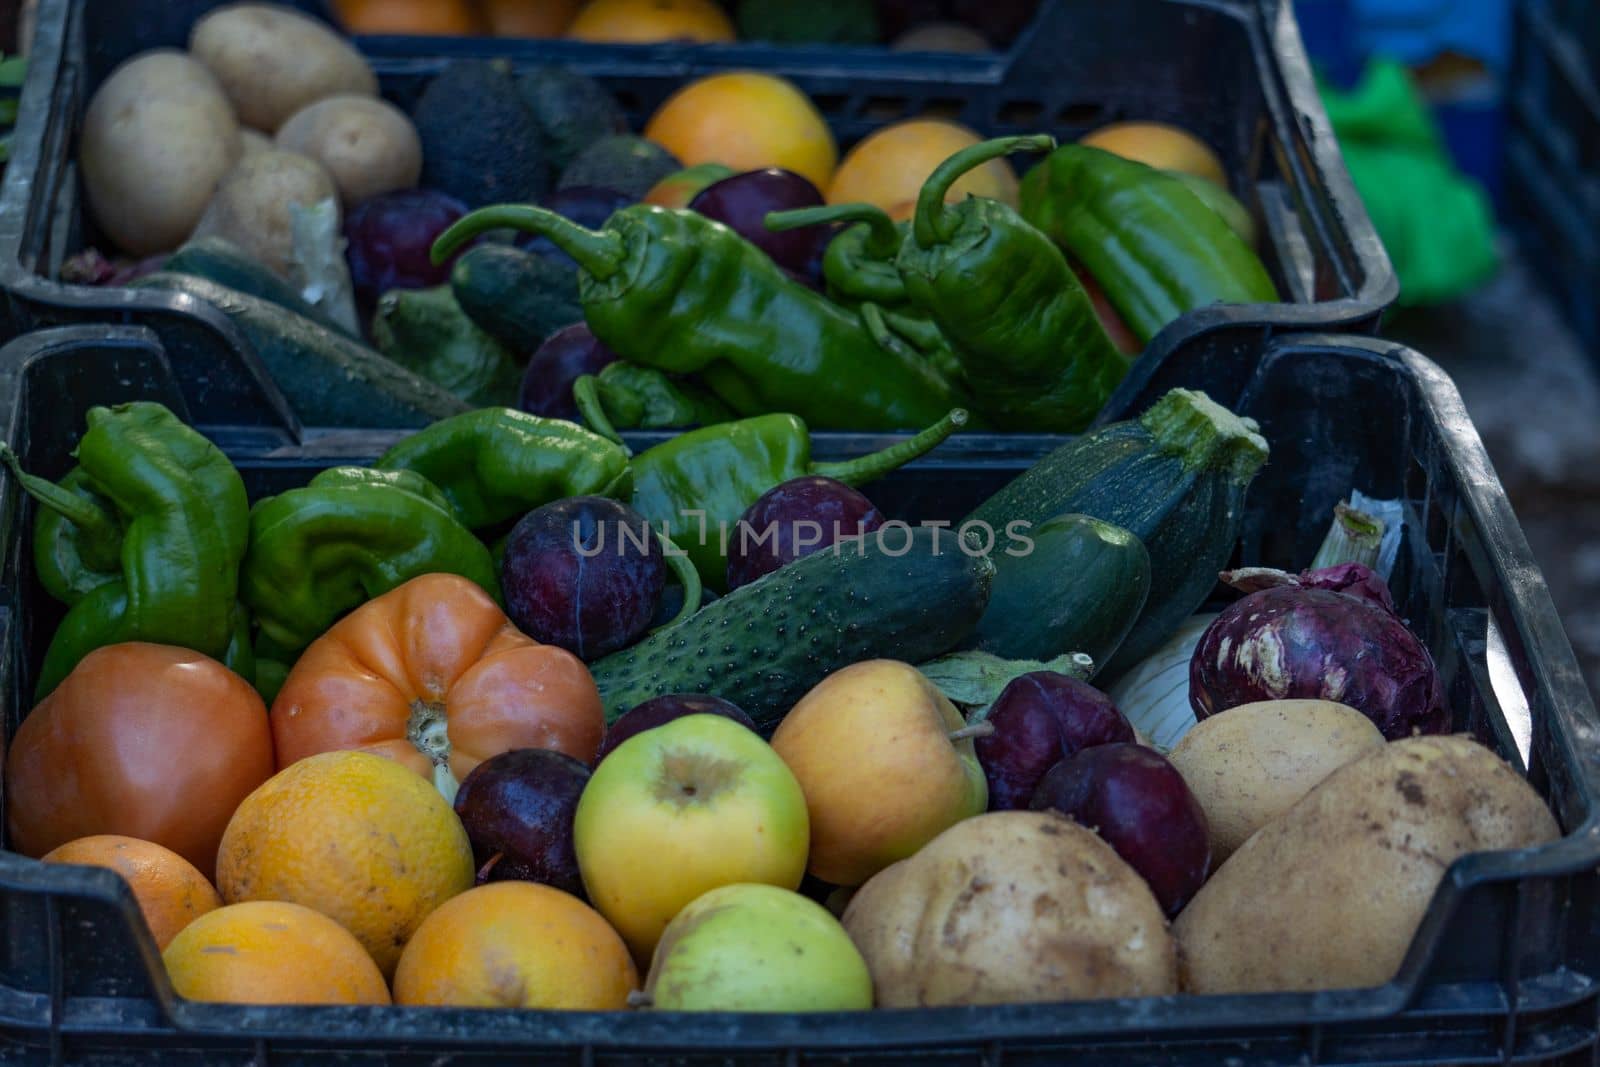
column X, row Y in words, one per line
column 585, row 573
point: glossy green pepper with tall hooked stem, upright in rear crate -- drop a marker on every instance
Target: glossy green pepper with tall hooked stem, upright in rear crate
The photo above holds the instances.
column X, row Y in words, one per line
column 1018, row 319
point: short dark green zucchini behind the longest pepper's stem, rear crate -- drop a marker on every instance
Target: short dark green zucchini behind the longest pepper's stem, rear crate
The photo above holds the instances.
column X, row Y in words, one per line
column 514, row 297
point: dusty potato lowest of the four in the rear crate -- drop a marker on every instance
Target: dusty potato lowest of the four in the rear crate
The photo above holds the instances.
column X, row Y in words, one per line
column 252, row 206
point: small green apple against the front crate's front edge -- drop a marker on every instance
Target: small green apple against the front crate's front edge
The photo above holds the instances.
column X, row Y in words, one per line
column 756, row 948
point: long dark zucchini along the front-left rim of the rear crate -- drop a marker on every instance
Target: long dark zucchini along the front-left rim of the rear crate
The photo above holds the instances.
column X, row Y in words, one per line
column 327, row 378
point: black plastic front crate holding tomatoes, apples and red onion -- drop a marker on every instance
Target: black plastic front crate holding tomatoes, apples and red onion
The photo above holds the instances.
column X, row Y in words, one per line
column 1505, row 969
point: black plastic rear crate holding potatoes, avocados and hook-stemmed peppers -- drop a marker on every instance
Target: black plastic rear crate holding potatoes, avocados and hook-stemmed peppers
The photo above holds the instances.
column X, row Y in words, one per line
column 1236, row 74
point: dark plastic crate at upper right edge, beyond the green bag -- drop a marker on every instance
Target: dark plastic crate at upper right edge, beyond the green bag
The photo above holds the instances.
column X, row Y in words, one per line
column 1553, row 167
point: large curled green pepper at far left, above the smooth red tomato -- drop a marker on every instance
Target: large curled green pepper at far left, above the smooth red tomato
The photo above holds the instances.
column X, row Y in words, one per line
column 174, row 510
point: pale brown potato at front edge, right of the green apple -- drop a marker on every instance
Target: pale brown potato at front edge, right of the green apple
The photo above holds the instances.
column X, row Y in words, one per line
column 1012, row 906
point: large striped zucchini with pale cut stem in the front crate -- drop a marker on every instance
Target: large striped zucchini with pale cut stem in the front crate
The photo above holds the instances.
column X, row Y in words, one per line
column 1175, row 478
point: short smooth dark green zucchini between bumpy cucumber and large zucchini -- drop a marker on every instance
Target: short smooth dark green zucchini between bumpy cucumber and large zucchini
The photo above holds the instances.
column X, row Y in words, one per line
column 1076, row 586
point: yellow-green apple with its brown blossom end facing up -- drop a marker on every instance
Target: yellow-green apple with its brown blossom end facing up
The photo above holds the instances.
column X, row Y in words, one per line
column 681, row 810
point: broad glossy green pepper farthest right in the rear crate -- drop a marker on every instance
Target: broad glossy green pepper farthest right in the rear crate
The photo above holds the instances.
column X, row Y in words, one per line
column 1156, row 249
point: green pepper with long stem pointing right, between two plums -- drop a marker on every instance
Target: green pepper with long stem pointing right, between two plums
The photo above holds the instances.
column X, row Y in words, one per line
column 698, row 486
